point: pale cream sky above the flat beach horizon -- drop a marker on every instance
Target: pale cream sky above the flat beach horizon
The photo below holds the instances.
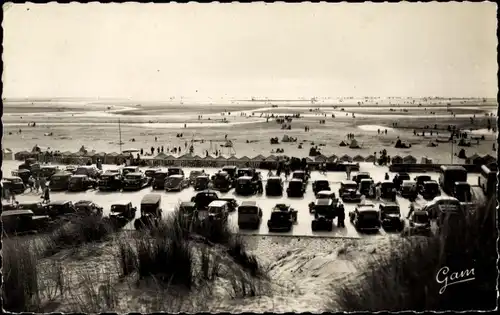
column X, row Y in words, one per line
column 159, row 51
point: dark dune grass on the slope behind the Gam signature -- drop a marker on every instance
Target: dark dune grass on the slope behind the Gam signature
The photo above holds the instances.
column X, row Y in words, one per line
column 405, row 279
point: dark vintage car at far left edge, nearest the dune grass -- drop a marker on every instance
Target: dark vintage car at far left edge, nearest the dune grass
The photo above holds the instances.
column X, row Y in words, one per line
column 15, row 222
